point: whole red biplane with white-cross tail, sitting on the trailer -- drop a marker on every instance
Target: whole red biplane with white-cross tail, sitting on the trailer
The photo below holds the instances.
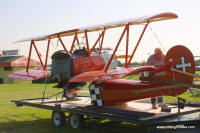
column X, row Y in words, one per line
column 108, row 85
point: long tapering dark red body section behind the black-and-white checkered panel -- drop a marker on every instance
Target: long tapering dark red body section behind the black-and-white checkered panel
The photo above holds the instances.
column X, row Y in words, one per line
column 123, row 90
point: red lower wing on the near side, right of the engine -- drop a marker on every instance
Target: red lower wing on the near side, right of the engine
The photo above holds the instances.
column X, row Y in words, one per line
column 112, row 74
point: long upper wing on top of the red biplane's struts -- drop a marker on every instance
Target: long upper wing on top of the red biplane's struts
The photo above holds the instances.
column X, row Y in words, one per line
column 132, row 21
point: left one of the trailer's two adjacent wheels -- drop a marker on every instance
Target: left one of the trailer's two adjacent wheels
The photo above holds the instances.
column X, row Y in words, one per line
column 58, row 118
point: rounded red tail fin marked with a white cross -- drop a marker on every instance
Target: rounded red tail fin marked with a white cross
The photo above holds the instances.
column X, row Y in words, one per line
column 180, row 58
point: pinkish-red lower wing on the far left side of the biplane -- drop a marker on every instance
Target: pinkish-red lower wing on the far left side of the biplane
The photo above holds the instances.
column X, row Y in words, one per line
column 30, row 75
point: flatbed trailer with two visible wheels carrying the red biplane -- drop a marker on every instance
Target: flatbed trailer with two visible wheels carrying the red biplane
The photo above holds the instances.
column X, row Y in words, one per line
column 134, row 112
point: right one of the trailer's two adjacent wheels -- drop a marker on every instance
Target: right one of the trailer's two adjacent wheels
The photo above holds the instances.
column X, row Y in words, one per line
column 76, row 121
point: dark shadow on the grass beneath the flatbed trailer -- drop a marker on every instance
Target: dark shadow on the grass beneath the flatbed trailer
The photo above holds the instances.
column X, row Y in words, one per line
column 90, row 126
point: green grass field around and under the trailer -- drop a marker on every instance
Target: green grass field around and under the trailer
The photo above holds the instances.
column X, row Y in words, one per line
column 33, row 120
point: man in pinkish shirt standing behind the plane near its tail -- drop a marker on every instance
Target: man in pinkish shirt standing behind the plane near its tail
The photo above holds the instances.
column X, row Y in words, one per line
column 157, row 60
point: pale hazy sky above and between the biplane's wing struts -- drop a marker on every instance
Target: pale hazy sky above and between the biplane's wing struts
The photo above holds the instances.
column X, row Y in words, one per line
column 21, row 19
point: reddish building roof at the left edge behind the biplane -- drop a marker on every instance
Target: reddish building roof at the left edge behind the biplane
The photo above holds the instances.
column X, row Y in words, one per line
column 17, row 61
